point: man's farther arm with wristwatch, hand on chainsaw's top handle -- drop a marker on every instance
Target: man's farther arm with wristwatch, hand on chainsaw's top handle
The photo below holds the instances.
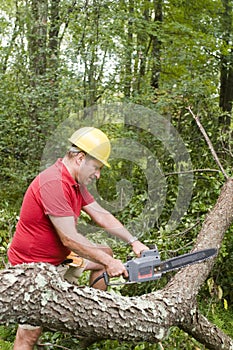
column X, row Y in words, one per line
column 105, row 219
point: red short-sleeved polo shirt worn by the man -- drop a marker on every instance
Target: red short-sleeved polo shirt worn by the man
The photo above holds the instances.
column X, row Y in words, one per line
column 52, row 192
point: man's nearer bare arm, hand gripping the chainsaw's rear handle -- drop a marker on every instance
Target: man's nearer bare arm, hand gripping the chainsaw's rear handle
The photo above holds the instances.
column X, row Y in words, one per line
column 74, row 241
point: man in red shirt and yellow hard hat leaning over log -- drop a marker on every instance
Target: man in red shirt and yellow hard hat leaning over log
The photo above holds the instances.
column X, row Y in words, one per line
column 47, row 232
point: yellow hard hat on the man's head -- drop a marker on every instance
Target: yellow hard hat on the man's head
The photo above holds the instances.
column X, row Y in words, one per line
column 92, row 141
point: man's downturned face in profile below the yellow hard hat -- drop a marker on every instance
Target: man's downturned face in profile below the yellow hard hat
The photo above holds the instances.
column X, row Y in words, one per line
column 89, row 170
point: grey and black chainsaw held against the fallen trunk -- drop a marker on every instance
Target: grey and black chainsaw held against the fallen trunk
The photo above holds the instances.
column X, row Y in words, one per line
column 149, row 267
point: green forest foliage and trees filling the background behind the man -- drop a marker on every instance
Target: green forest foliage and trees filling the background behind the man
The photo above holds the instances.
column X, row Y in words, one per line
column 60, row 58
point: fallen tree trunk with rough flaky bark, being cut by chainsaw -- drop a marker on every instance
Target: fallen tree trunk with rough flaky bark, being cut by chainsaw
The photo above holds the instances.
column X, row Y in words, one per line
column 36, row 294
